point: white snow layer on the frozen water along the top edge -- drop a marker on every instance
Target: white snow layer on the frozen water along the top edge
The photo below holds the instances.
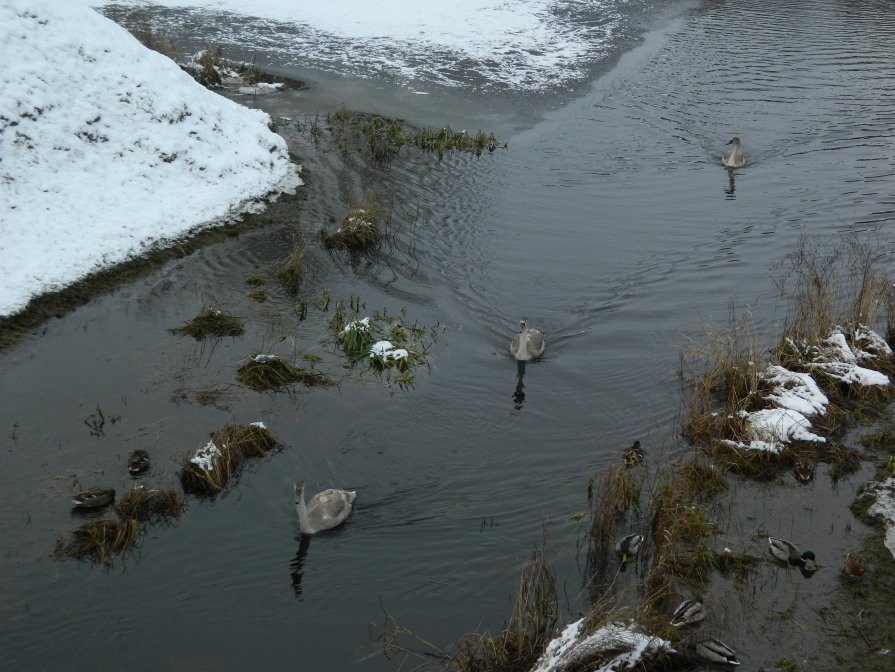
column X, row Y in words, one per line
column 520, row 44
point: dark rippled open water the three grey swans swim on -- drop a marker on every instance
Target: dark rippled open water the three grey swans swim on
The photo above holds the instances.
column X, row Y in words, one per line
column 609, row 223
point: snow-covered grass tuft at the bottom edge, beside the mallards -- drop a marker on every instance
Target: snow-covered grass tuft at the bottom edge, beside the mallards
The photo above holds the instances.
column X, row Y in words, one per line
column 616, row 645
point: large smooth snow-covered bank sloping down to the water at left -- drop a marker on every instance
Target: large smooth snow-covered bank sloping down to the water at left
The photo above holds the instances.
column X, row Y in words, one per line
column 108, row 149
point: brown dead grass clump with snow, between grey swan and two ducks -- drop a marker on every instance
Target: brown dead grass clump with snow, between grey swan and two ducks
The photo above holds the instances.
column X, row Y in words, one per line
column 210, row 469
